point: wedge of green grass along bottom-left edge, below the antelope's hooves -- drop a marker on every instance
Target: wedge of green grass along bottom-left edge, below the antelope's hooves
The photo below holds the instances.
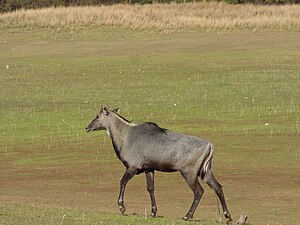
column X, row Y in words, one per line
column 42, row 215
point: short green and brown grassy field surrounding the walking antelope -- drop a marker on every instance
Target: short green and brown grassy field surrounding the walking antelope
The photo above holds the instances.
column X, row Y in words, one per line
column 238, row 88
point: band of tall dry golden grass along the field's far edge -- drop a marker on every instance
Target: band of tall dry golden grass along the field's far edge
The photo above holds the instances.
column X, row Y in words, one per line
column 202, row 15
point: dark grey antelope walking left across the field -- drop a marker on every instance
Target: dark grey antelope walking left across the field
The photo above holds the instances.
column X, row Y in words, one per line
column 146, row 147
